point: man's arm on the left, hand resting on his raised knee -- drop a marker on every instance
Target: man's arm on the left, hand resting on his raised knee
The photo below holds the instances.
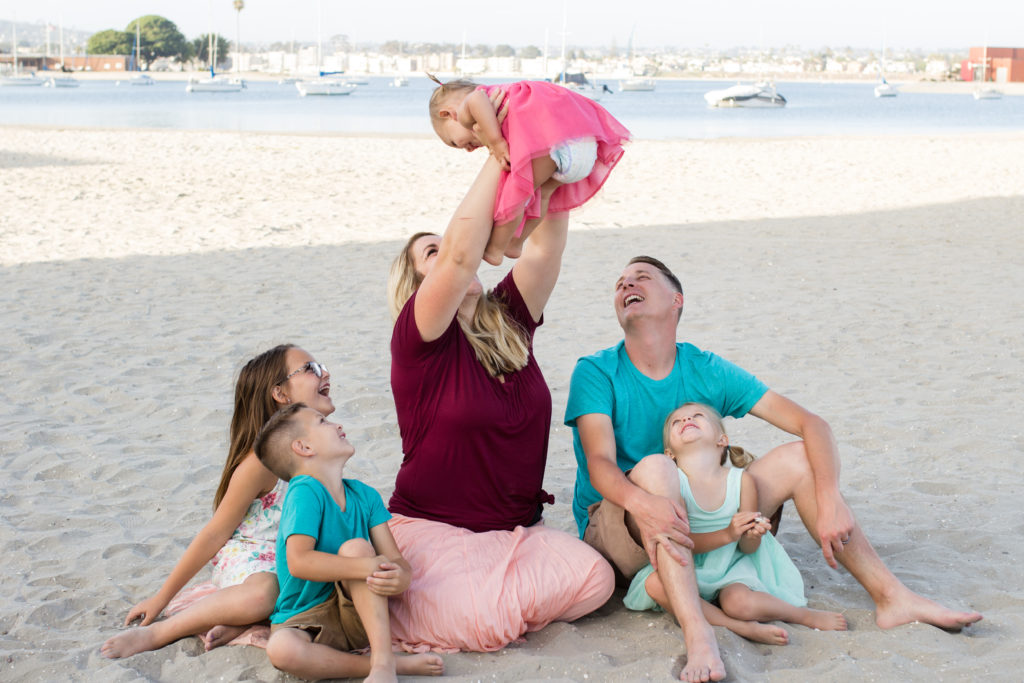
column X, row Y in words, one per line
column 659, row 519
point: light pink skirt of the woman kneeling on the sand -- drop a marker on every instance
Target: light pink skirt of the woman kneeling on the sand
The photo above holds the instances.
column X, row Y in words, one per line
column 481, row 592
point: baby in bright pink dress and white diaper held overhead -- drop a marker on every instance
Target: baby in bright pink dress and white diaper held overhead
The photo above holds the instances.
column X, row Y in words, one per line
column 558, row 147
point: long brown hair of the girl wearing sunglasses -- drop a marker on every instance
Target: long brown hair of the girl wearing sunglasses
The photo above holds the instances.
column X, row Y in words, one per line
column 254, row 405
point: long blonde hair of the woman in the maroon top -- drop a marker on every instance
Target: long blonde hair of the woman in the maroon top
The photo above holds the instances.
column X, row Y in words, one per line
column 501, row 346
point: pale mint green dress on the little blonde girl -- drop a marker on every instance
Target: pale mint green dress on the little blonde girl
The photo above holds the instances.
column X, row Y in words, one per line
column 769, row 569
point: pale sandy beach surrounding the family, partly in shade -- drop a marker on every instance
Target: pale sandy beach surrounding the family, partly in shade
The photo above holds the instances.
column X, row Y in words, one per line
column 879, row 282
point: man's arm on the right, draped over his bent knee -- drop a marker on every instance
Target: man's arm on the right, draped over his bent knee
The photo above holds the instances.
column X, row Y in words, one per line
column 835, row 519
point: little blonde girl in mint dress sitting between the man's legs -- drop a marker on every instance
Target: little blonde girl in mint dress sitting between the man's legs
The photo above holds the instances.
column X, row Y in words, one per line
column 737, row 561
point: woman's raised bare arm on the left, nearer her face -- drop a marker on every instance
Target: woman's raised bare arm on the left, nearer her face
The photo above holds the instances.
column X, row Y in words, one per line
column 459, row 258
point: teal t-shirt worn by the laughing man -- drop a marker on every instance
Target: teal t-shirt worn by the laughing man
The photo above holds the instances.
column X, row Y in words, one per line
column 609, row 383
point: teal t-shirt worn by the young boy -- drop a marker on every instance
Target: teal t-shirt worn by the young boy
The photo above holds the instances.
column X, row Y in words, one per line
column 310, row 510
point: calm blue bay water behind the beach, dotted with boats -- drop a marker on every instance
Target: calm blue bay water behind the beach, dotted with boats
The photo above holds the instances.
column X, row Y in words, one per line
column 676, row 110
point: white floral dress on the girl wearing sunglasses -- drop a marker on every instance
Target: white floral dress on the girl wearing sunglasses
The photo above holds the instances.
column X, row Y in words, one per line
column 251, row 548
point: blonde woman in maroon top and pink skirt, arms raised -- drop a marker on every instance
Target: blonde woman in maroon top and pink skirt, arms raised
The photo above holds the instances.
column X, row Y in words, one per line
column 475, row 413
